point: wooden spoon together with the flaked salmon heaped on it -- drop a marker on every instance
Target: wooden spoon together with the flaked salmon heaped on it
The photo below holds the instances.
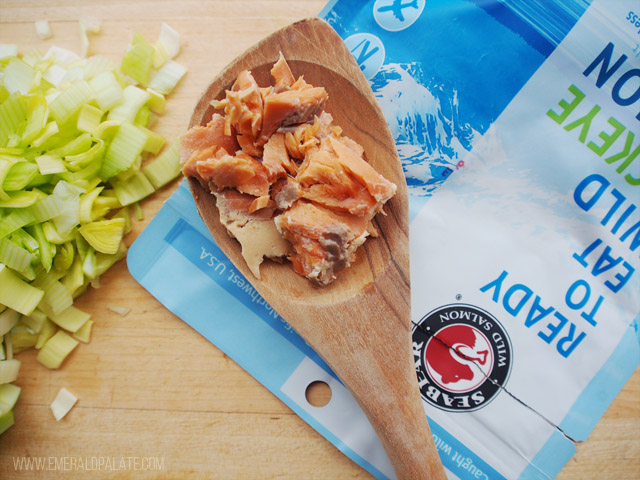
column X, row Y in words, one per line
column 288, row 146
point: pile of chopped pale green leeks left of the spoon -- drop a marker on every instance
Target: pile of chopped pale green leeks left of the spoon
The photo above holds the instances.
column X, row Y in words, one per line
column 76, row 148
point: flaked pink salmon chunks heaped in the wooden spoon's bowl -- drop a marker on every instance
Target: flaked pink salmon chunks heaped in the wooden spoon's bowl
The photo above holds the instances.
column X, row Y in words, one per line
column 288, row 183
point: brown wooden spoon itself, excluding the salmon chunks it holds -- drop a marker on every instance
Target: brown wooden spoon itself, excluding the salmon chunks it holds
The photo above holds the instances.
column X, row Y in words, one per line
column 360, row 324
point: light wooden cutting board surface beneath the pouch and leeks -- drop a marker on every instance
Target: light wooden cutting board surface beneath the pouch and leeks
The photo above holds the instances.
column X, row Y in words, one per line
column 153, row 394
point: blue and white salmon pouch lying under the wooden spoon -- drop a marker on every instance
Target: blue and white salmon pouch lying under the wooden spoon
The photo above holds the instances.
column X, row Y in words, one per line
column 518, row 125
